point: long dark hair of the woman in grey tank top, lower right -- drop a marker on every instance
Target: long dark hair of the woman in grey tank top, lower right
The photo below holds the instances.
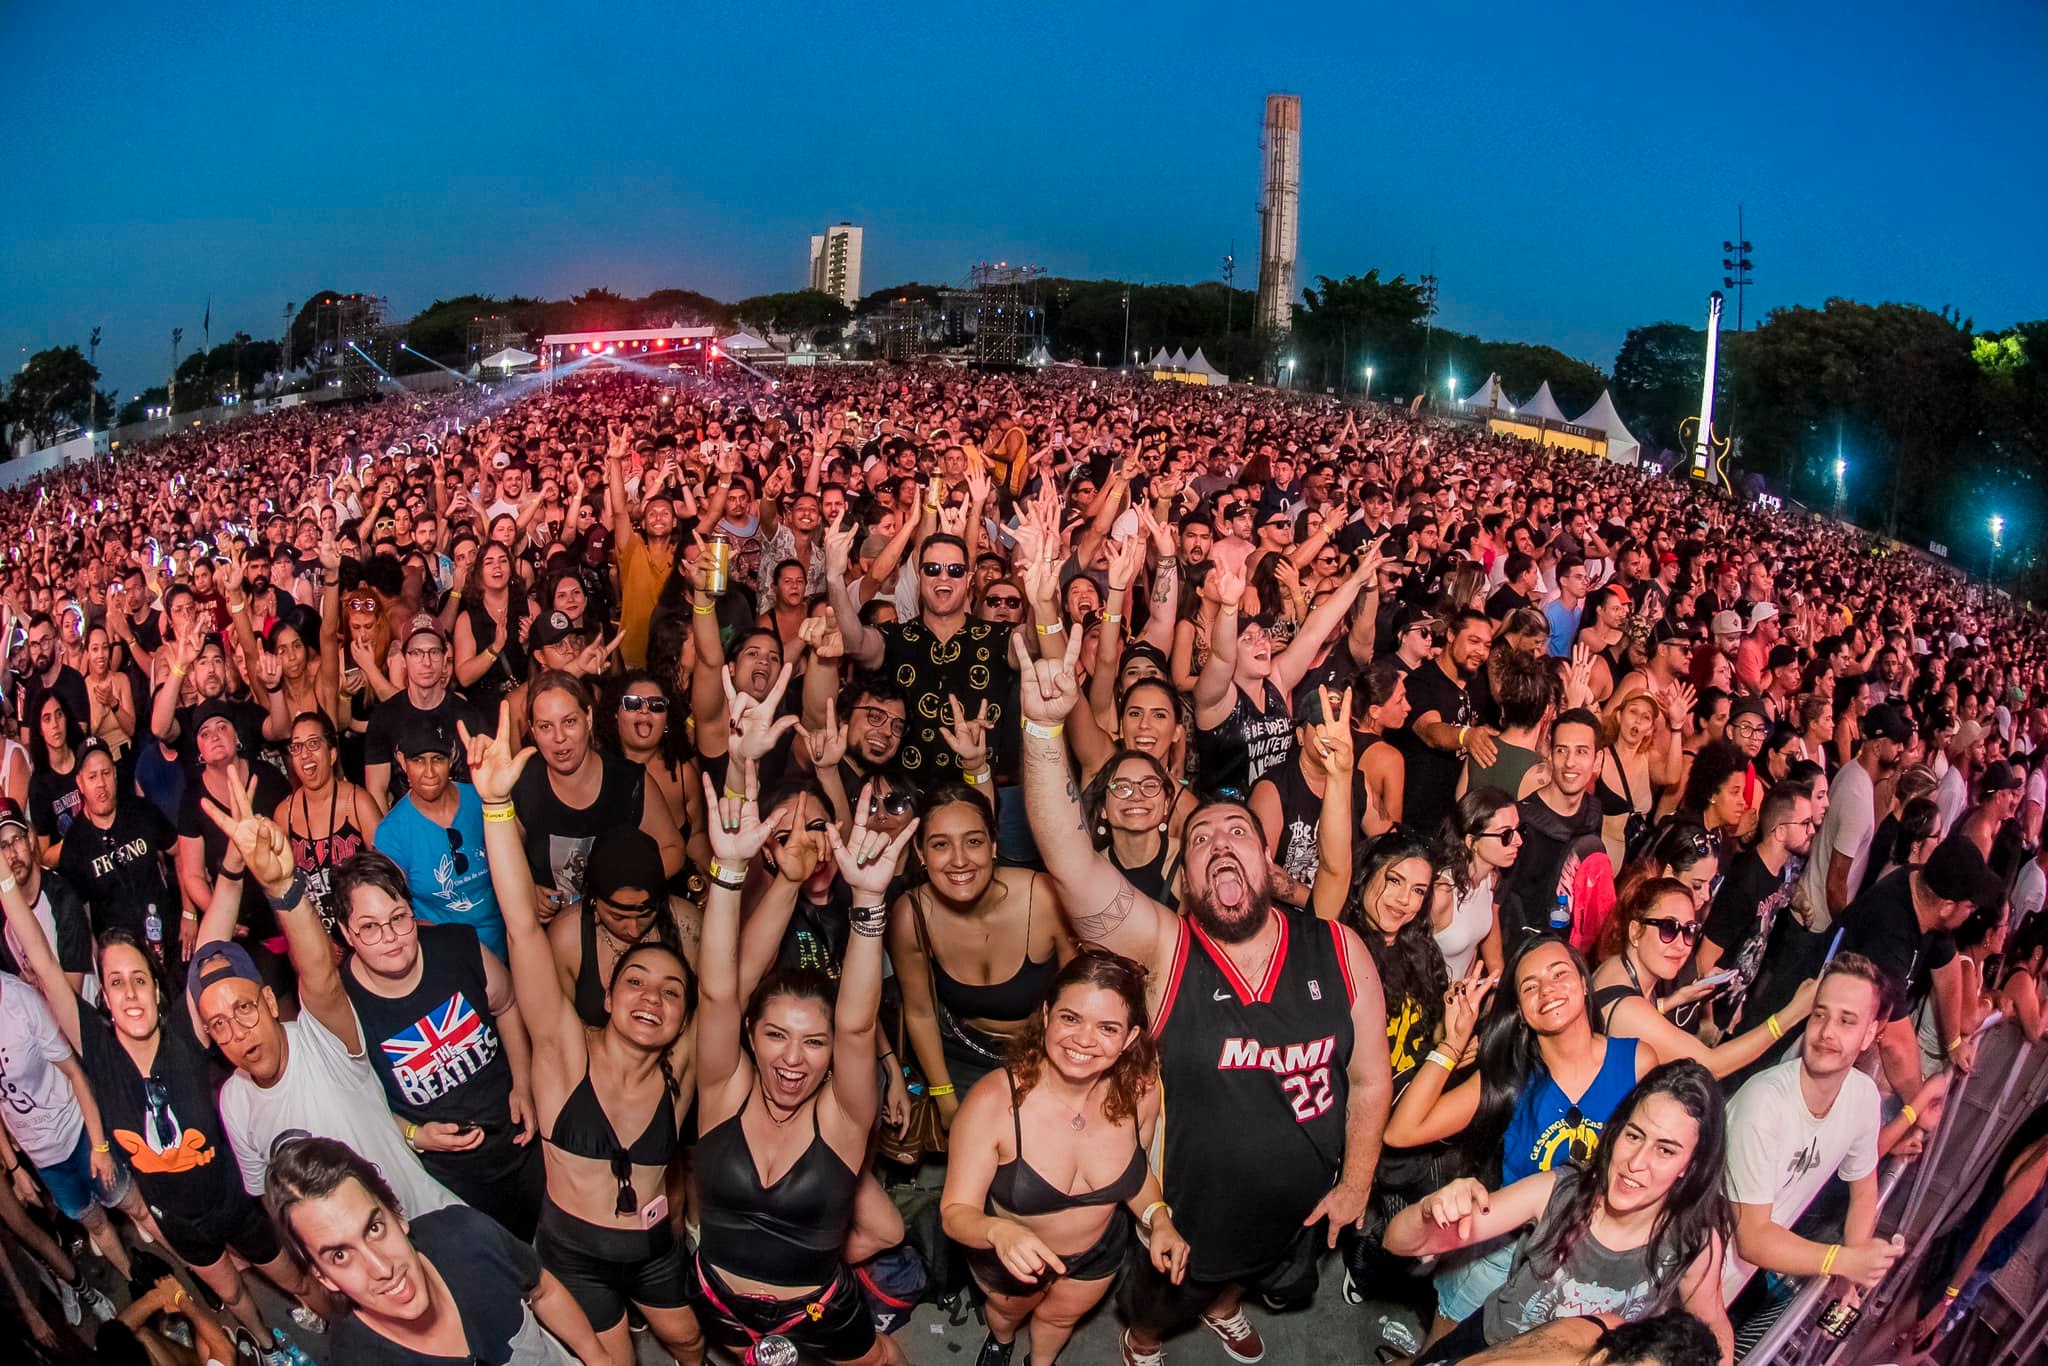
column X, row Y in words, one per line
column 1695, row 1213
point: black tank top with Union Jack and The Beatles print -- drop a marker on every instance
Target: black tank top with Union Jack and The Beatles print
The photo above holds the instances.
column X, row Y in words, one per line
column 437, row 1048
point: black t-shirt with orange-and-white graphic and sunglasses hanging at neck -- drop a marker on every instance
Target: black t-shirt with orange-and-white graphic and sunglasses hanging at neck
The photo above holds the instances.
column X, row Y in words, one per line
column 177, row 1146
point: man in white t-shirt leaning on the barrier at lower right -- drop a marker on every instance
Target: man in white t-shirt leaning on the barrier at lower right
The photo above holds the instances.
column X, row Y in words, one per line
column 1801, row 1123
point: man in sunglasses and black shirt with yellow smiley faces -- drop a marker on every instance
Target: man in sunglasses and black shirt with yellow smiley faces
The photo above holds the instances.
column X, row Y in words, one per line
column 933, row 658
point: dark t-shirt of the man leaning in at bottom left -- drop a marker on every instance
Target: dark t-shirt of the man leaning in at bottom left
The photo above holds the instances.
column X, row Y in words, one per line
column 488, row 1273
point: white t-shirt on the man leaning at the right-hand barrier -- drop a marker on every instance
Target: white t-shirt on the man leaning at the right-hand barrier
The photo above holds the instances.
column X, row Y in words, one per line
column 1783, row 1156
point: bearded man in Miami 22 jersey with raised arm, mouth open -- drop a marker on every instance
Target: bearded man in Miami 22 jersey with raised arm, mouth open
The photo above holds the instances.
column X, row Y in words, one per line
column 1265, row 1015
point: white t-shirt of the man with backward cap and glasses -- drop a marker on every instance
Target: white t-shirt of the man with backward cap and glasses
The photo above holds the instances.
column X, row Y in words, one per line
column 335, row 1095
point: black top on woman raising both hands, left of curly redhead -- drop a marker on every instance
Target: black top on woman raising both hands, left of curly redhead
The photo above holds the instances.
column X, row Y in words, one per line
column 790, row 1234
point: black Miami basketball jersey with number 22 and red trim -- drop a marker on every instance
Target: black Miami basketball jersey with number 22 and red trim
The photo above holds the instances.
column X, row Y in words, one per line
column 1254, row 1091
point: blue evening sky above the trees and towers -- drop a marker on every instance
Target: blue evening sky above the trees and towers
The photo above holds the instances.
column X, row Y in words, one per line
column 1572, row 167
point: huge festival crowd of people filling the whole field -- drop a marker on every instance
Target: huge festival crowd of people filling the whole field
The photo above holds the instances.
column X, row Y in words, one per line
column 540, row 871
